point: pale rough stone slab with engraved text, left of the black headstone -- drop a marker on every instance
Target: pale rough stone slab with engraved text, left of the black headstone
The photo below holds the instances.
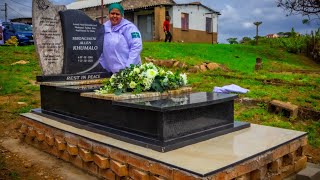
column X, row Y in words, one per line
column 48, row 36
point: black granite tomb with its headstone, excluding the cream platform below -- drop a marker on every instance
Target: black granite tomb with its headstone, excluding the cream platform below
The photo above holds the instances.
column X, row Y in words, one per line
column 69, row 44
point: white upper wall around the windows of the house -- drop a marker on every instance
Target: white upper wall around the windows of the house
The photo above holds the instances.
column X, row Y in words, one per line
column 197, row 17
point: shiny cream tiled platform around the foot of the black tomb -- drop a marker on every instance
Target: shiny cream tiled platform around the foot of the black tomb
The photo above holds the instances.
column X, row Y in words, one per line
column 201, row 158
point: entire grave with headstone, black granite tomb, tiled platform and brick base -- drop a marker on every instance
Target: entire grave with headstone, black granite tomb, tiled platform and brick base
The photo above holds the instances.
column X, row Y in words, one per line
column 178, row 134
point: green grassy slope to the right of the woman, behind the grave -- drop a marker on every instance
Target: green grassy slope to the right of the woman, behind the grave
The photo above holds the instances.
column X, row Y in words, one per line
column 278, row 66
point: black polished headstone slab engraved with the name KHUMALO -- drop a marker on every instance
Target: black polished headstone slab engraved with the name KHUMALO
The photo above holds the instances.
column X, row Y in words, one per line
column 83, row 42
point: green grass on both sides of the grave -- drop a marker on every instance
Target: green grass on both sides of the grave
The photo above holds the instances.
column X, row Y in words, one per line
column 298, row 88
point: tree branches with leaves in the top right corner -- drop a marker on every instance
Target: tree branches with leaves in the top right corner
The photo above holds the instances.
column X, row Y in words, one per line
column 310, row 8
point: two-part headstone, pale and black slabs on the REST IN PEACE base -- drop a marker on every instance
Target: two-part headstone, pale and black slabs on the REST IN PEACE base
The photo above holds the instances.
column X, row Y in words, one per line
column 68, row 43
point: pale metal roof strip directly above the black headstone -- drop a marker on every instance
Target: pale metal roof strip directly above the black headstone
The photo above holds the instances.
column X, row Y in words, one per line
column 89, row 3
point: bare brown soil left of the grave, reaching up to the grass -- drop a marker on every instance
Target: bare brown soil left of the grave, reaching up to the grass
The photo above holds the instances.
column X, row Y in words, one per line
column 21, row 161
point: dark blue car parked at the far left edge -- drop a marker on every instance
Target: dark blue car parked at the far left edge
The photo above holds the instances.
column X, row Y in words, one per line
column 22, row 31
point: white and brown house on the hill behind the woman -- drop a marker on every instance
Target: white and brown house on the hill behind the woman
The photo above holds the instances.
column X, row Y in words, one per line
column 190, row 22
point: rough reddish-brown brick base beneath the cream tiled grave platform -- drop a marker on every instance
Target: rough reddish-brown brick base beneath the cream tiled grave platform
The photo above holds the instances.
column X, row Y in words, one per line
column 111, row 163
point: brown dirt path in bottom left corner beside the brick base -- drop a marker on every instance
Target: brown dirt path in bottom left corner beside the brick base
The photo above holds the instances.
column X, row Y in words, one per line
column 25, row 162
